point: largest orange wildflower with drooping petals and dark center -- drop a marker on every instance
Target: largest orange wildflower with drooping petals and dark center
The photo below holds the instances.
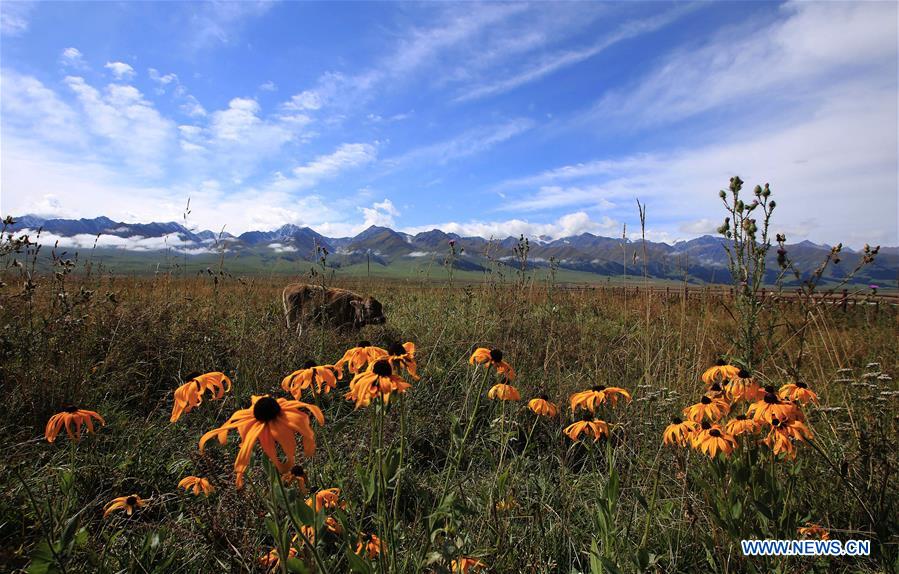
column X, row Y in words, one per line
column 269, row 421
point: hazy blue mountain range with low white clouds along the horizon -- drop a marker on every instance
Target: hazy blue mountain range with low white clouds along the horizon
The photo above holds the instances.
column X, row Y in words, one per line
column 698, row 260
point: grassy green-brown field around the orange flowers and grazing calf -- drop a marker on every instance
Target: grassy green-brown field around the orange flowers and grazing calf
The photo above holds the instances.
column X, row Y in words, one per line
column 443, row 472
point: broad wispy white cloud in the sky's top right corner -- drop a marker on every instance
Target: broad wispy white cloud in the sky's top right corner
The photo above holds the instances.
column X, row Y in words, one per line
column 794, row 59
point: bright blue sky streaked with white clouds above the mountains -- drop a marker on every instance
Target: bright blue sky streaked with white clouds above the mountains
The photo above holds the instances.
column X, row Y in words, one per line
column 489, row 119
